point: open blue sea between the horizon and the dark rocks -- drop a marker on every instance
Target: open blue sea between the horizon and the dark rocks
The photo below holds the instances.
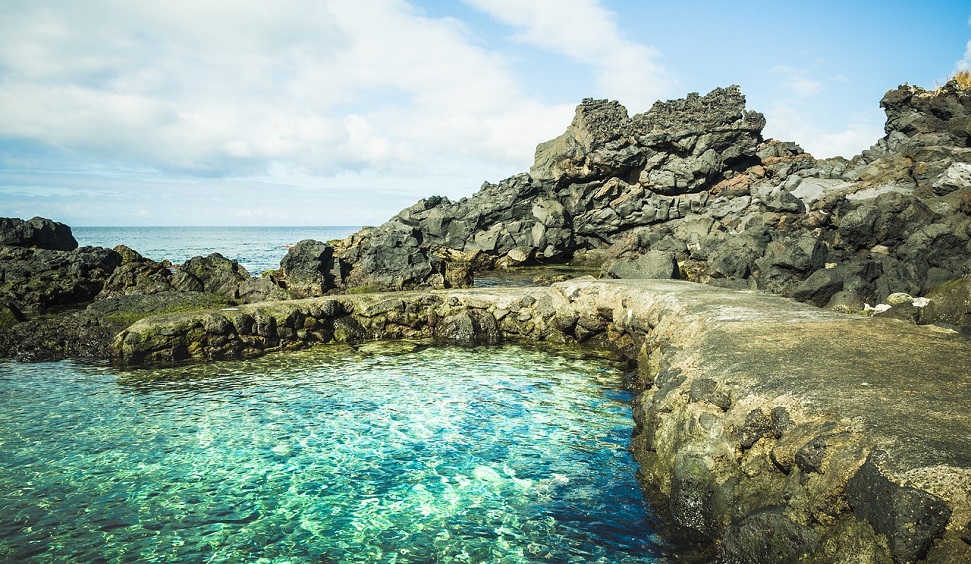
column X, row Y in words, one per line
column 256, row 248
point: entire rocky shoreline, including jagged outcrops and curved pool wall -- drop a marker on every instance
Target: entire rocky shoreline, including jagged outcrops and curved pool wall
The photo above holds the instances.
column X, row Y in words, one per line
column 764, row 426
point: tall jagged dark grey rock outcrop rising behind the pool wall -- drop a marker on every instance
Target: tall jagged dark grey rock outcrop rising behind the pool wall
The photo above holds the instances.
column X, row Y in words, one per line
column 694, row 178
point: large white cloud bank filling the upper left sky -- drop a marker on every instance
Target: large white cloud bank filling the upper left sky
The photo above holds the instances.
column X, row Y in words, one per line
column 228, row 87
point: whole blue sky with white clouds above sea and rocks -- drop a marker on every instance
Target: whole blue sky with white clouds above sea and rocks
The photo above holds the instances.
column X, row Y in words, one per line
column 344, row 112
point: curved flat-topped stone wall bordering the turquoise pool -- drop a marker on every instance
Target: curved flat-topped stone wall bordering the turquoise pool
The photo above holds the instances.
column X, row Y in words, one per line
column 764, row 426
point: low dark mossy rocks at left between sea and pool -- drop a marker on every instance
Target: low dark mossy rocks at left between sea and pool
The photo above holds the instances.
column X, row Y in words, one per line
column 43, row 292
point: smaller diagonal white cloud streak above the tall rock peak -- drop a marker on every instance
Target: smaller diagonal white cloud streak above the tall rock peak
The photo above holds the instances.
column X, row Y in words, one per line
column 588, row 34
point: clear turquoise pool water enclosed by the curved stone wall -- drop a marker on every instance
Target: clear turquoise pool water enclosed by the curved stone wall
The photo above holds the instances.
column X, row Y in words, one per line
column 390, row 455
